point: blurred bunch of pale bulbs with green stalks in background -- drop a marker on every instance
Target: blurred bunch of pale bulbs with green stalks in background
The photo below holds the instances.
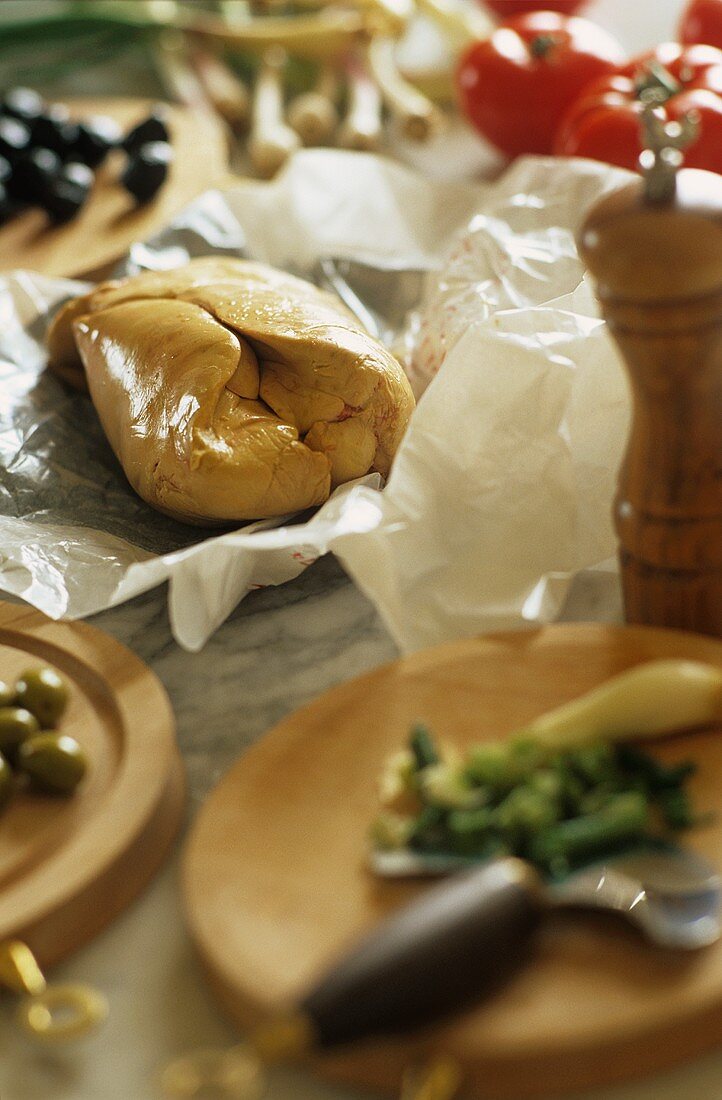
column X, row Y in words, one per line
column 335, row 76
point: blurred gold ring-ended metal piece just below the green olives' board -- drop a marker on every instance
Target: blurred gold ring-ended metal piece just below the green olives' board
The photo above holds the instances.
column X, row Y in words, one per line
column 50, row 1014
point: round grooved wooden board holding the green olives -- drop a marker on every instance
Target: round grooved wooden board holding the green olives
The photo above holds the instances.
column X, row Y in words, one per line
column 69, row 866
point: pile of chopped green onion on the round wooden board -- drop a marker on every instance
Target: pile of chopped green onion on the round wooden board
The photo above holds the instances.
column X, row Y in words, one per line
column 555, row 807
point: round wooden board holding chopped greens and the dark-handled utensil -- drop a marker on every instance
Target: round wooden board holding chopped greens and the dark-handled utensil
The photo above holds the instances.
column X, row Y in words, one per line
column 277, row 885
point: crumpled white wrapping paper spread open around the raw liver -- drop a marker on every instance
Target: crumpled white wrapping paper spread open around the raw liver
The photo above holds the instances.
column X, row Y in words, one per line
column 501, row 492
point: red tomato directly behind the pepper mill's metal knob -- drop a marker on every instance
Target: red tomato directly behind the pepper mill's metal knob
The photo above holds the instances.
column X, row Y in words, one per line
column 605, row 123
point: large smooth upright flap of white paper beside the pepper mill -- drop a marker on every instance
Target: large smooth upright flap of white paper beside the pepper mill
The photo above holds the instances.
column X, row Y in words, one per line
column 502, row 490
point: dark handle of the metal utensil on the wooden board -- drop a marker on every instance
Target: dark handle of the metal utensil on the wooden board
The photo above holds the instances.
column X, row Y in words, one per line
column 432, row 959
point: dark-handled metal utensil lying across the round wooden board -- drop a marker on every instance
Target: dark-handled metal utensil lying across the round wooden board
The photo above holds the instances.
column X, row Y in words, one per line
column 462, row 938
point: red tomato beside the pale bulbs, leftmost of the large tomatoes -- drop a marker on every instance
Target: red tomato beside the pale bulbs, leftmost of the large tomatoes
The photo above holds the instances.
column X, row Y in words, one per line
column 517, row 85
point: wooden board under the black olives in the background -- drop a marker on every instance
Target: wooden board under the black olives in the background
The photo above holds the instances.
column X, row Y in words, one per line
column 111, row 223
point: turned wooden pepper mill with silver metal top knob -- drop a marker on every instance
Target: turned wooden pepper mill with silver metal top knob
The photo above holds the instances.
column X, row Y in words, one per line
column 655, row 249
